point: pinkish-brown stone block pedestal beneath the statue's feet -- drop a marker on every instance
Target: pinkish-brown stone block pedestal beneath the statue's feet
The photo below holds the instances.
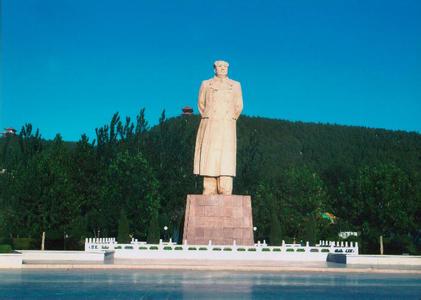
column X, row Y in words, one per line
column 221, row 219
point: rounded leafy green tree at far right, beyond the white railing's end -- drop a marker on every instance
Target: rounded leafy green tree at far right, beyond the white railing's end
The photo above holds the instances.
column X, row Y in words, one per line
column 383, row 202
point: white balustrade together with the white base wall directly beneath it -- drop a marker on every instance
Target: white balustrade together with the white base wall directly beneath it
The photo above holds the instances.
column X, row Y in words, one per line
column 169, row 249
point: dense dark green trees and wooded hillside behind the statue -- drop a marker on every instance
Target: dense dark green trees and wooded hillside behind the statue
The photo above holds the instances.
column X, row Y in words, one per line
column 132, row 180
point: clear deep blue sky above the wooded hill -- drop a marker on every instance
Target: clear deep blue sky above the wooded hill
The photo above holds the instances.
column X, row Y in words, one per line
column 68, row 65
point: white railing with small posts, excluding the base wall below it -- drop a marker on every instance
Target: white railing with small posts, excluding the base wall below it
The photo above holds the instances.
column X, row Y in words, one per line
column 135, row 245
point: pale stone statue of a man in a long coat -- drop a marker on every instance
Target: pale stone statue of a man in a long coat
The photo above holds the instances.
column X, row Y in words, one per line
column 220, row 104
